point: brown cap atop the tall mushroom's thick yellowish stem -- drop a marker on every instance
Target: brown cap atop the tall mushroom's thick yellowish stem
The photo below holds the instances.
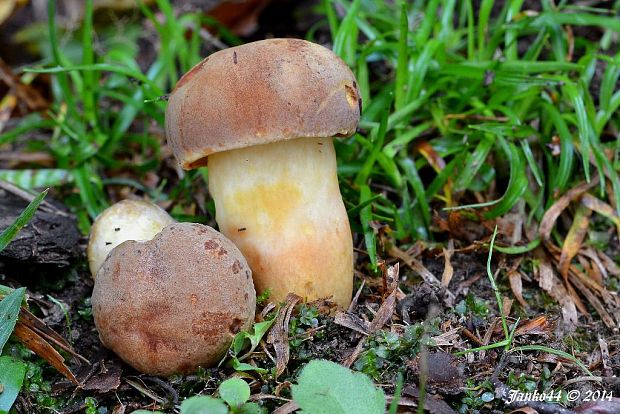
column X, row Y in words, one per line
column 258, row 93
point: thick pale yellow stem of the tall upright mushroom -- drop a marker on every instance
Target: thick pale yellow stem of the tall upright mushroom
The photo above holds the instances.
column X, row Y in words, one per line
column 281, row 205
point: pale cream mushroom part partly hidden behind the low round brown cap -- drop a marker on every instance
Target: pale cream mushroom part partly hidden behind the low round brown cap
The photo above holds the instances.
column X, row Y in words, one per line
column 125, row 220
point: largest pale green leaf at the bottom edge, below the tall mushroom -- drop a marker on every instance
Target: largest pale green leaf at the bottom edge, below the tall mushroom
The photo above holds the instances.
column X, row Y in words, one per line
column 326, row 387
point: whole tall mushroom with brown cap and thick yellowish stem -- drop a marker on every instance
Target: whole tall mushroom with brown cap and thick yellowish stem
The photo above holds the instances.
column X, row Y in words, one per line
column 263, row 115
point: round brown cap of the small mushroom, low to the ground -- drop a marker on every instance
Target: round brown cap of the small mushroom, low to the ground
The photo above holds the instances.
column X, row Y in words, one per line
column 173, row 303
